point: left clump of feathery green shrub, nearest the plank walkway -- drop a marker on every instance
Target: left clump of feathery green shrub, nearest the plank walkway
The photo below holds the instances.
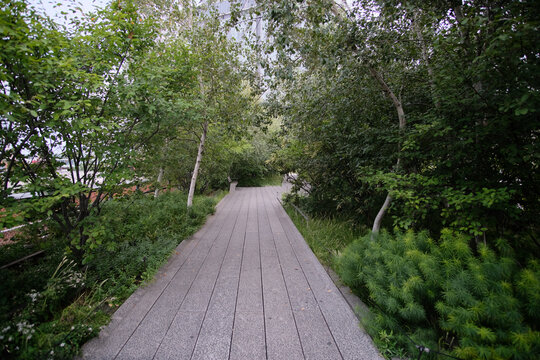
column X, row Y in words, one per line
column 398, row 274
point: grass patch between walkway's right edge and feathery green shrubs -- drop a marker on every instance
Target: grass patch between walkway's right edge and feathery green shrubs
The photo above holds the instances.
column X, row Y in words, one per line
column 326, row 237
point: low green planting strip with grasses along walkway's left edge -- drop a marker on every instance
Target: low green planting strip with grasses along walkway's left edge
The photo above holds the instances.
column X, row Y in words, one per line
column 52, row 304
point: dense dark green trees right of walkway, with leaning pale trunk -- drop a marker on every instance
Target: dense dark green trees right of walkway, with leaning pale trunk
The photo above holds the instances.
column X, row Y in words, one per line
column 434, row 104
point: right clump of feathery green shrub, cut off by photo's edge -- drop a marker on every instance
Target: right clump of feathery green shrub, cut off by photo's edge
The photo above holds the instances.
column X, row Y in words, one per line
column 486, row 303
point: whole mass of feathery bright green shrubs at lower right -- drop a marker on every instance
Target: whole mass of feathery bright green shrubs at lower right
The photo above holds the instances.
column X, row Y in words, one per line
column 471, row 300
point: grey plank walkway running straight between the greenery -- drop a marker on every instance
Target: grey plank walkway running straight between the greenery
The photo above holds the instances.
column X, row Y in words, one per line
column 246, row 286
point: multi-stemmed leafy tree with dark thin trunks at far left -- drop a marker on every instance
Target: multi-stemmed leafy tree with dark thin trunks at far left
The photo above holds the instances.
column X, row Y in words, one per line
column 56, row 110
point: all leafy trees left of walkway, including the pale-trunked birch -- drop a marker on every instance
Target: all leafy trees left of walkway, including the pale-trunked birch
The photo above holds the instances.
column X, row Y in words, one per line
column 106, row 103
